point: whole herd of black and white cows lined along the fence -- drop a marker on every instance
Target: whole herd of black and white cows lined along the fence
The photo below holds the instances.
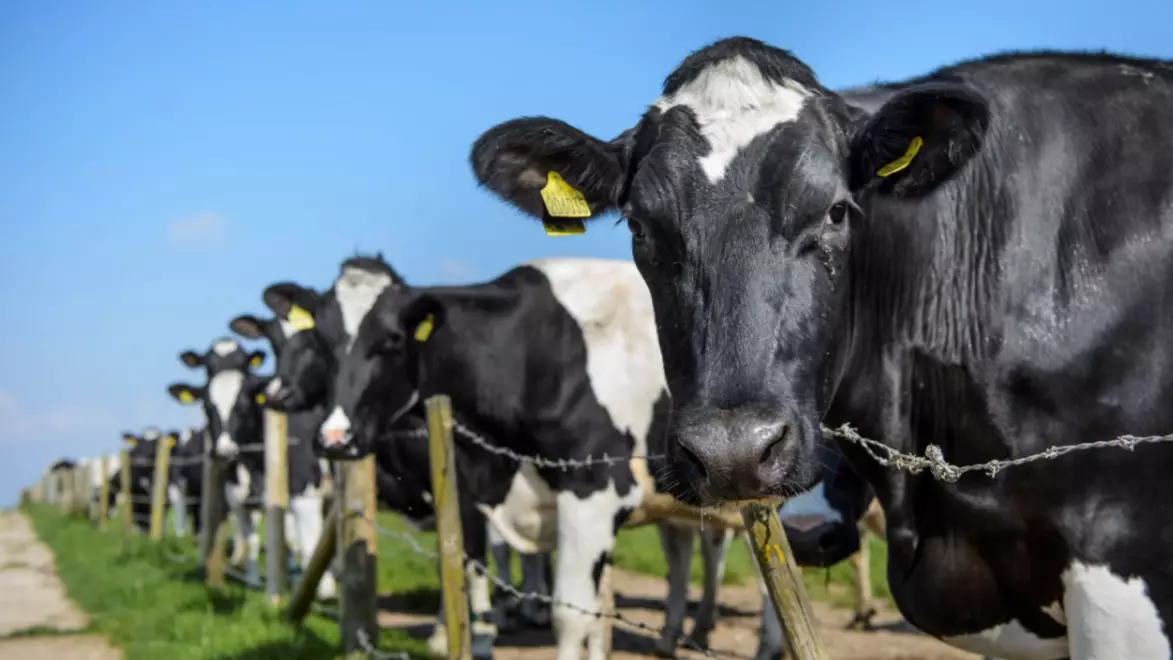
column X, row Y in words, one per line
column 975, row 260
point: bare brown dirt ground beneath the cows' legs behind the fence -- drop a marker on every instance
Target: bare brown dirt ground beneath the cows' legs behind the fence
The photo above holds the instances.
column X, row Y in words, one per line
column 641, row 598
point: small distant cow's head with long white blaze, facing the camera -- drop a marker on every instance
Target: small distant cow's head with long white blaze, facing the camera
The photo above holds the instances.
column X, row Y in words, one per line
column 233, row 398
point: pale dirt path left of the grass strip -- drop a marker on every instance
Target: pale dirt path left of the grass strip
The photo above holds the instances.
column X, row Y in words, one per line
column 32, row 600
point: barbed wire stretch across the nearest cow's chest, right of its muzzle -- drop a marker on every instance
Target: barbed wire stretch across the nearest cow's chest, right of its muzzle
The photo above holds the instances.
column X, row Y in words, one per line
column 944, row 471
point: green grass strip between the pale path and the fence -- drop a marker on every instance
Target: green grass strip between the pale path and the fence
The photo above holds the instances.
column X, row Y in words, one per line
column 154, row 608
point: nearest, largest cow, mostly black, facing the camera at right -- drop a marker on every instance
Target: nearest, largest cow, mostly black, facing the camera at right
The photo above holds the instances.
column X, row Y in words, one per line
column 975, row 260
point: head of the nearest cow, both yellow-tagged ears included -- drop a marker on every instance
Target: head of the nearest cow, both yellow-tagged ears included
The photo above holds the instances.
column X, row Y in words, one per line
column 744, row 187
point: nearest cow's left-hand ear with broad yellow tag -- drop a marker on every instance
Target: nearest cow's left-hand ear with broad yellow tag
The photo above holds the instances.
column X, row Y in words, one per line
column 552, row 171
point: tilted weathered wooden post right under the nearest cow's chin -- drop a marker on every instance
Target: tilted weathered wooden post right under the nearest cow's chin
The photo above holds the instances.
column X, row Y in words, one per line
column 784, row 581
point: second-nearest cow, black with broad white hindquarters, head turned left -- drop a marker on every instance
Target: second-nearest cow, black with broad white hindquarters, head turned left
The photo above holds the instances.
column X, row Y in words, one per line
column 537, row 366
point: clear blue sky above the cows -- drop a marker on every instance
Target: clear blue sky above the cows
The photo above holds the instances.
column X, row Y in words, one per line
column 162, row 162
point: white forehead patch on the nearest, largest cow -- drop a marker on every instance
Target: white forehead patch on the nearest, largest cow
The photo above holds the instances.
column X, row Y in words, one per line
column 735, row 104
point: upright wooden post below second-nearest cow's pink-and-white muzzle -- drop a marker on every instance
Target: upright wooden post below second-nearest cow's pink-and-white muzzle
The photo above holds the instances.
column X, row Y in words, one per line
column 358, row 595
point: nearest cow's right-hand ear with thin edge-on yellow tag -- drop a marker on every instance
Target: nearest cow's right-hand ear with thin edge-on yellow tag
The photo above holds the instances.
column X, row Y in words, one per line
column 918, row 141
